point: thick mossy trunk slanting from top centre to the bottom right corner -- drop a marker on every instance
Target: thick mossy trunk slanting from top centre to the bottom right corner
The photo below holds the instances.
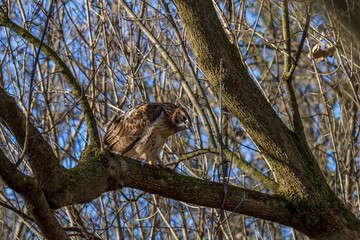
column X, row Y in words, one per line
column 317, row 211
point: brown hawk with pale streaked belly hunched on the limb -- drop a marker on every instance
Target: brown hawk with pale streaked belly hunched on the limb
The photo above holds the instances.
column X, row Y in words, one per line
column 141, row 132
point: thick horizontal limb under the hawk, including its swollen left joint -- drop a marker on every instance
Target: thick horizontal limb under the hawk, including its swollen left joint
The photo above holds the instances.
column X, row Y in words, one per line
column 114, row 171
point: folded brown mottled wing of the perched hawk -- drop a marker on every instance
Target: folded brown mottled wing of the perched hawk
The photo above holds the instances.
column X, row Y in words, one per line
column 126, row 130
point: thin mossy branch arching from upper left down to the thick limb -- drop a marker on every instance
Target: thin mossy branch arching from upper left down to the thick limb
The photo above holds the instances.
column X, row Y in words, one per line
column 63, row 68
